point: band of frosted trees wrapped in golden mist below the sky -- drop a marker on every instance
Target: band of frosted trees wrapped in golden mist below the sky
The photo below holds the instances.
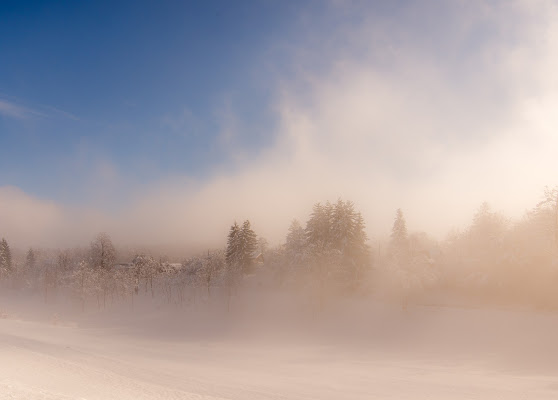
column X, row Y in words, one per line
column 494, row 260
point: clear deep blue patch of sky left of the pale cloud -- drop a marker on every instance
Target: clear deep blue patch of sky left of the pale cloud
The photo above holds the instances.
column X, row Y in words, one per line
column 144, row 86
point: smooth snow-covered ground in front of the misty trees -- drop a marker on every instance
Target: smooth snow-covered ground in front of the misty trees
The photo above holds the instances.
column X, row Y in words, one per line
column 370, row 351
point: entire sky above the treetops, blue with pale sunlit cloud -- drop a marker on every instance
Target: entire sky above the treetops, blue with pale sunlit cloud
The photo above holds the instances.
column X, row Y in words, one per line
column 150, row 119
